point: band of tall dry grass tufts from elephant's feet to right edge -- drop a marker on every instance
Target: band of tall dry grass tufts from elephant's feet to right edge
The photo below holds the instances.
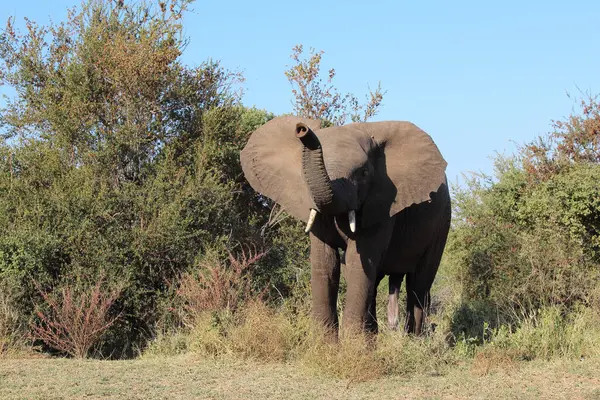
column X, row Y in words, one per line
column 261, row 333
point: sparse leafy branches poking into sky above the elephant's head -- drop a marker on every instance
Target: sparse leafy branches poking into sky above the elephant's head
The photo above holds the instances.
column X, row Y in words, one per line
column 317, row 98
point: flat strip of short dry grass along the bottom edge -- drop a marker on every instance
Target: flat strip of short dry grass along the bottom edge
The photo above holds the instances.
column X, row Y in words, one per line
column 189, row 377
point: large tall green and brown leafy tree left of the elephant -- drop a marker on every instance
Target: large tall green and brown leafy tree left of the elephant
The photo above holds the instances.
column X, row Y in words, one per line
column 118, row 159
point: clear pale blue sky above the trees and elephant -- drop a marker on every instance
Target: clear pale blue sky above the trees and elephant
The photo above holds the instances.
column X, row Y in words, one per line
column 476, row 75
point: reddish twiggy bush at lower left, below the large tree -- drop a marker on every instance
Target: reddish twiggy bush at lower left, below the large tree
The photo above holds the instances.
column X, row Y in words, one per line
column 76, row 319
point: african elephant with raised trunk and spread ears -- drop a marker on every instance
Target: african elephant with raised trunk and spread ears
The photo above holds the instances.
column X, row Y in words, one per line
column 377, row 191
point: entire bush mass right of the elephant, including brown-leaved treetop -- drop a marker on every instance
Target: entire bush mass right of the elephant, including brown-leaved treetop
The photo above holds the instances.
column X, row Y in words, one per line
column 530, row 238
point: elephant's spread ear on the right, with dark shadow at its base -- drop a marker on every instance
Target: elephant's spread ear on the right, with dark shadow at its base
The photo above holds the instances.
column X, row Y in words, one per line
column 409, row 166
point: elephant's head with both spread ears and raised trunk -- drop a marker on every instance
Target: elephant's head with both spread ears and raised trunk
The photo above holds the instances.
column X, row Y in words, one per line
column 370, row 170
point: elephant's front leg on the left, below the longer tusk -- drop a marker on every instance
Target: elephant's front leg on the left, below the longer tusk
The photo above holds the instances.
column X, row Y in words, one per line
column 325, row 281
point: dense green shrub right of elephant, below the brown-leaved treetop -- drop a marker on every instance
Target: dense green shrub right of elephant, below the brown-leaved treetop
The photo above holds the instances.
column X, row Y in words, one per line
column 523, row 246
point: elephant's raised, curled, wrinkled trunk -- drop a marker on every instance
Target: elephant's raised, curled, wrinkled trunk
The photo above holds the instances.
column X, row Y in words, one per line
column 315, row 174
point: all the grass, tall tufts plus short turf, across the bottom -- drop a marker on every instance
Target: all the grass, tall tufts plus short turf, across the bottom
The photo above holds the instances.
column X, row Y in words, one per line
column 262, row 352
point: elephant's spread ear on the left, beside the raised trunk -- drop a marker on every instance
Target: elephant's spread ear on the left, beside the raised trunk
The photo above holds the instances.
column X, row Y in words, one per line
column 272, row 164
